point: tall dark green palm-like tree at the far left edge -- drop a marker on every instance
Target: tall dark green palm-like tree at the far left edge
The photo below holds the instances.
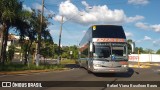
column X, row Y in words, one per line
column 10, row 10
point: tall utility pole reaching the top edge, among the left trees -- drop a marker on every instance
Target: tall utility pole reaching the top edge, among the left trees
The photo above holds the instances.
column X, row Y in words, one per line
column 39, row 36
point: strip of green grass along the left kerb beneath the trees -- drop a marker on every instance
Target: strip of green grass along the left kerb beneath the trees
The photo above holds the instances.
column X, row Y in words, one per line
column 22, row 67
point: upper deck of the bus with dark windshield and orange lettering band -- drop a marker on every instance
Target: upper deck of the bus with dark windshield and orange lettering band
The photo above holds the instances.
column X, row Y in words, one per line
column 104, row 33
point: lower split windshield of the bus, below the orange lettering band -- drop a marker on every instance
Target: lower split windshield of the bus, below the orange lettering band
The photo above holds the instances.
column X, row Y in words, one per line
column 110, row 52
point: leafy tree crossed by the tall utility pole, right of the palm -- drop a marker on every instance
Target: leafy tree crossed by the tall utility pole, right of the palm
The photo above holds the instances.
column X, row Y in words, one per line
column 31, row 31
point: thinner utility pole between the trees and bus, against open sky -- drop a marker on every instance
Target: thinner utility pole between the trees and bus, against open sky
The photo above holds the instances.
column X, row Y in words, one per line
column 59, row 45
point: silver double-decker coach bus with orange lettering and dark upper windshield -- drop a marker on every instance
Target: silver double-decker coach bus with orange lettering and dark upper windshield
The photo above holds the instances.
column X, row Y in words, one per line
column 103, row 49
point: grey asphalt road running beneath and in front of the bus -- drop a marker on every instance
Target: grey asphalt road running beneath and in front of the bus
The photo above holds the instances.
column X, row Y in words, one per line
column 80, row 74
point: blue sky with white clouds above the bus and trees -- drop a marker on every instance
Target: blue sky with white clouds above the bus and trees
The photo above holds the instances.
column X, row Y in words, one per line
column 140, row 18
